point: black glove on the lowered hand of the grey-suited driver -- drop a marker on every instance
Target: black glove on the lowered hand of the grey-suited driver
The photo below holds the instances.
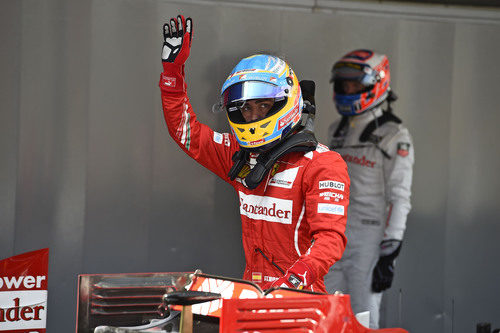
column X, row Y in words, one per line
column 383, row 273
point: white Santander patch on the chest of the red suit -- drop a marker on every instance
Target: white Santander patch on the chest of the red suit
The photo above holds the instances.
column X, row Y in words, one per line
column 266, row 208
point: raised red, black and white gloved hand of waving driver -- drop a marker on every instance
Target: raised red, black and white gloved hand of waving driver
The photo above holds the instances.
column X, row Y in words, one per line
column 177, row 36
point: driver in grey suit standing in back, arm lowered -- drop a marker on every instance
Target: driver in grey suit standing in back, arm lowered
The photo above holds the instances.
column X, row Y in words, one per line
column 378, row 151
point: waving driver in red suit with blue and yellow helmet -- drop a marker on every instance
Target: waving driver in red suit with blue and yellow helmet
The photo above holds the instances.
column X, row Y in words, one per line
column 293, row 191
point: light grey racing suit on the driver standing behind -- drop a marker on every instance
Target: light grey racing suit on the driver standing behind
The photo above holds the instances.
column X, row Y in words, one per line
column 380, row 170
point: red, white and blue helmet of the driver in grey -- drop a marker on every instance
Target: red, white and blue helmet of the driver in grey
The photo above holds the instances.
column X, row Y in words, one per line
column 371, row 71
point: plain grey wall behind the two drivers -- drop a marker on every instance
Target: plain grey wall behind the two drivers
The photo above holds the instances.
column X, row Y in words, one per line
column 88, row 169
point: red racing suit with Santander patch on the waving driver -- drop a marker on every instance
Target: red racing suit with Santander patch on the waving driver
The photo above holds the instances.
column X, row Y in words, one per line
column 297, row 214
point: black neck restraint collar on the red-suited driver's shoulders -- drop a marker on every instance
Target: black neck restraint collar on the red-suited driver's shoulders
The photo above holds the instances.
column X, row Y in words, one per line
column 301, row 140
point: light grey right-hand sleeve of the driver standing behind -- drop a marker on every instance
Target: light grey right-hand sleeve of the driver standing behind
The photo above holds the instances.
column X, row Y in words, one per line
column 398, row 171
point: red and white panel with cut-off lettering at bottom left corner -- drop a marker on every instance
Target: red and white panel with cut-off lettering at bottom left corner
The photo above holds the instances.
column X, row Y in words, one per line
column 23, row 292
